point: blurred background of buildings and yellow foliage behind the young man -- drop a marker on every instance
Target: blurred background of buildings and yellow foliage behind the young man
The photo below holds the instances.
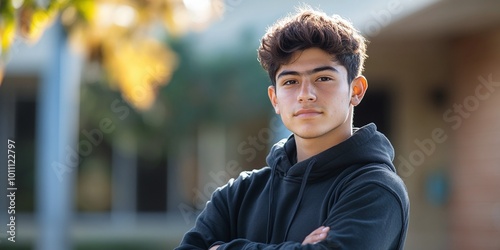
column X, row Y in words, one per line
column 127, row 114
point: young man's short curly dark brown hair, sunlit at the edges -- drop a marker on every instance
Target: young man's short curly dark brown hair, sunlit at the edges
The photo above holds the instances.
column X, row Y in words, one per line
column 307, row 29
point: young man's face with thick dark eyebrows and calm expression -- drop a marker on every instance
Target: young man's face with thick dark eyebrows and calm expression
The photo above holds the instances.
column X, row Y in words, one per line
column 313, row 97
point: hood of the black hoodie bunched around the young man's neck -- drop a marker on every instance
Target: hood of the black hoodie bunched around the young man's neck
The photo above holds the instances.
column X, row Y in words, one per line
column 365, row 146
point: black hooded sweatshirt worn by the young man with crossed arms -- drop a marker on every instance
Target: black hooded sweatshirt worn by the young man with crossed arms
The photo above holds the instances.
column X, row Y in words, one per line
column 352, row 187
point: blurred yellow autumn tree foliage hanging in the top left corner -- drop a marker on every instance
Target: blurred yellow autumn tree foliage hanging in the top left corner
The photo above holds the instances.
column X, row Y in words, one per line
column 122, row 36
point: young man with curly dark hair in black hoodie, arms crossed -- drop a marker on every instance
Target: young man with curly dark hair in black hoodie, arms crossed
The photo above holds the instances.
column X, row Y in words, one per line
column 328, row 186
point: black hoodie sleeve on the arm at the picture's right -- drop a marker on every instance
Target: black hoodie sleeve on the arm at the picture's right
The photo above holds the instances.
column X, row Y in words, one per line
column 368, row 216
